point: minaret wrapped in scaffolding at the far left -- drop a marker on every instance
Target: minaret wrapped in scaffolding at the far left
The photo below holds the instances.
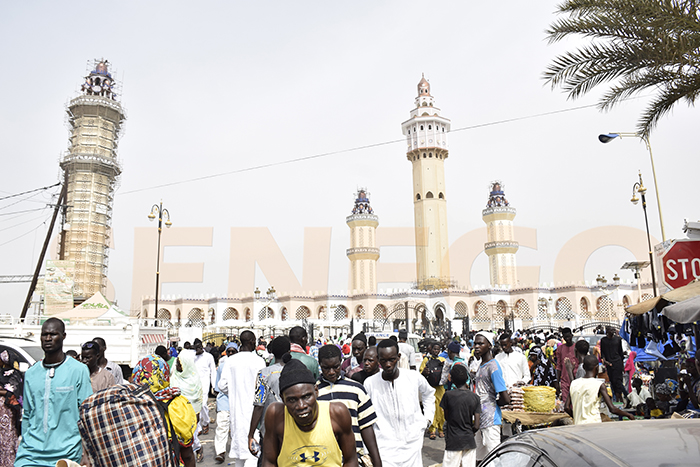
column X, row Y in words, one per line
column 91, row 169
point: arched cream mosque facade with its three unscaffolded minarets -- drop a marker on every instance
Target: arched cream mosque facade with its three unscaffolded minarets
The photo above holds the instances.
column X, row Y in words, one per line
column 435, row 304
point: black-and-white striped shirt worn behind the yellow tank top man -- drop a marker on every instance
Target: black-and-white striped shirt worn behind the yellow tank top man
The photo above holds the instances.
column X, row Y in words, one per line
column 354, row 396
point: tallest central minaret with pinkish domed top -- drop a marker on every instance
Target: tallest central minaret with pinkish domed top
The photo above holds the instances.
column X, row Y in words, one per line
column 426, row 136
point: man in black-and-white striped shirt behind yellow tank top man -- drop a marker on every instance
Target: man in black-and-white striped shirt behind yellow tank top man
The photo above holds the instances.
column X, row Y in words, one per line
column 334, row 387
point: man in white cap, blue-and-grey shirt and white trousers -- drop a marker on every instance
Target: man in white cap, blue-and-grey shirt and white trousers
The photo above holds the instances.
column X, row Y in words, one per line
column 488, row 385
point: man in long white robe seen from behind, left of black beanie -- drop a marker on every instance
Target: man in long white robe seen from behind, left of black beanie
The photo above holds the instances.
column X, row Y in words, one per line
column 238, row 382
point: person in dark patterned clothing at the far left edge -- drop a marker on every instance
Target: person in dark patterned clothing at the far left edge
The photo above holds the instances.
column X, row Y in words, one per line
column 11, row 386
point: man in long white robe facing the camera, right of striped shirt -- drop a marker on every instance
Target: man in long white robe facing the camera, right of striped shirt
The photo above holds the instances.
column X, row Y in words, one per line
column 396, row 395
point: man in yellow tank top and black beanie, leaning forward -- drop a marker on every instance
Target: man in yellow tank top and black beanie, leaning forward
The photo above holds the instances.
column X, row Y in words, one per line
column 304, row 432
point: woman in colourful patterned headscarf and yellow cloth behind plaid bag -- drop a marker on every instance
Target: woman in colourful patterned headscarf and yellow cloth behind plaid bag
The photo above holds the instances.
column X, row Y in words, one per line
column 155, row 373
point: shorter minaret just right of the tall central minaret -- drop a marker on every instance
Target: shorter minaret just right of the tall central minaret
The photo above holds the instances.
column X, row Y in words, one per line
column 501, row 245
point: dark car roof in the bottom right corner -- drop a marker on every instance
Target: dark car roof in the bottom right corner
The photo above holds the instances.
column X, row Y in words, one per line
column 643, row 443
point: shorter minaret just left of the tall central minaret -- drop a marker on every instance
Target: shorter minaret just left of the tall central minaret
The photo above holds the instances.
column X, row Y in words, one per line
column 363, row 252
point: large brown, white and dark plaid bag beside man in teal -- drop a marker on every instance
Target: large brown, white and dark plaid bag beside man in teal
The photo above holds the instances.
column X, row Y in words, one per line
column 125, row 426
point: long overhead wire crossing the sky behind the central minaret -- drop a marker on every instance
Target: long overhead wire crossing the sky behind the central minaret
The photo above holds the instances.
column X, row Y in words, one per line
column 342, row 151
